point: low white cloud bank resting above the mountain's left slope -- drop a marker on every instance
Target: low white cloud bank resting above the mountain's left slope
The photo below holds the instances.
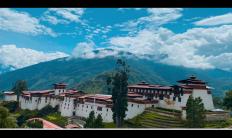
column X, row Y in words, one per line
column 21, row 57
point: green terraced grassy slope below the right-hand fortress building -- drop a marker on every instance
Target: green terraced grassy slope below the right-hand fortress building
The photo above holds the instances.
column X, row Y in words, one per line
column 158, row 118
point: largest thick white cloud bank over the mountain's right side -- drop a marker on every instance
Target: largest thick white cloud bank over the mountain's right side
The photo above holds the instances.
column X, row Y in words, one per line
column 192, row 49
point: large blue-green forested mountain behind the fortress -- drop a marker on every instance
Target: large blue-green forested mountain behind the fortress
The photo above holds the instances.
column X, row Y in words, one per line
column 87, row 73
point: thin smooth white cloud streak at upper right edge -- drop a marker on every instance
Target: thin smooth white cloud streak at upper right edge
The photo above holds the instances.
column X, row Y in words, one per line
column 216, row 20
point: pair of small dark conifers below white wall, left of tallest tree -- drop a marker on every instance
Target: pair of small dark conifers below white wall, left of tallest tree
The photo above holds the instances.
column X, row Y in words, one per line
column 92, row 122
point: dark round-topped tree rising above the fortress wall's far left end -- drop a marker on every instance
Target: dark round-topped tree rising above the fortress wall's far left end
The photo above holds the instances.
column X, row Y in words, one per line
column 19, row 87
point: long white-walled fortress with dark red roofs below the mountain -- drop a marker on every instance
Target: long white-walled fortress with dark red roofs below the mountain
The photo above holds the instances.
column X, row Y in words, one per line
column 140, row 96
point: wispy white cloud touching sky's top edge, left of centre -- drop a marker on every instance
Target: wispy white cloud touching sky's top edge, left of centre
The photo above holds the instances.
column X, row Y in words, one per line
column 63, row 15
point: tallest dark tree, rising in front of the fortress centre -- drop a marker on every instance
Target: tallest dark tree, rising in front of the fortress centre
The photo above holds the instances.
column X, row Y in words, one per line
column 118, row 85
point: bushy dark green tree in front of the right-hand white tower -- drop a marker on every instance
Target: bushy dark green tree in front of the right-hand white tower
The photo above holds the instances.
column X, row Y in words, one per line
column 195, row 112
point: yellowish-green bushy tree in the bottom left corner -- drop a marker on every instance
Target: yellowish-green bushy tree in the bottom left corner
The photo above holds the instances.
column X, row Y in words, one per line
column 6, row 121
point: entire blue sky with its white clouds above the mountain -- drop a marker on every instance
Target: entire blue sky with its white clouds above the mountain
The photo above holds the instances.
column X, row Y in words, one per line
column 191, row 37
